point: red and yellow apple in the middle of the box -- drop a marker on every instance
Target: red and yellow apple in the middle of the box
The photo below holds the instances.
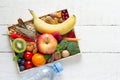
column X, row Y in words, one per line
column 46, row 43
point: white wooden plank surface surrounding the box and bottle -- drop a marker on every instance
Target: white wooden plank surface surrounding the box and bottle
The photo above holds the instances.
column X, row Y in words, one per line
column 98, row 27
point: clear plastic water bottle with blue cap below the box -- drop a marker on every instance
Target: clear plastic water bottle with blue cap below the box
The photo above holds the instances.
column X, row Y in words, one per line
column 44, row 73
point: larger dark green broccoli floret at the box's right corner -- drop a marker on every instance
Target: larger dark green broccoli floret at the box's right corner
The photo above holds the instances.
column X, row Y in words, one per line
column 73, row 48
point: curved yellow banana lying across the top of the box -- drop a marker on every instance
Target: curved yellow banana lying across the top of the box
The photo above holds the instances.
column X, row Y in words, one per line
column 44, row 27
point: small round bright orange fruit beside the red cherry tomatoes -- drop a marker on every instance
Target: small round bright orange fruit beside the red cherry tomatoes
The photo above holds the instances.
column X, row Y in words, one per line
column 38, row 59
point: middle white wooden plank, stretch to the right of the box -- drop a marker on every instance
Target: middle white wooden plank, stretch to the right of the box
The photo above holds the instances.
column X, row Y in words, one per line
column 99, row 39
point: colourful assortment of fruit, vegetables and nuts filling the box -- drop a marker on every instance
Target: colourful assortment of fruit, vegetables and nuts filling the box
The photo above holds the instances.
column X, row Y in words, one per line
column 44, row 39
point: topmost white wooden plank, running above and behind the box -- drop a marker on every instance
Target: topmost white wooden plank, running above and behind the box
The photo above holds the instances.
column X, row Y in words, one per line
column 88, row 12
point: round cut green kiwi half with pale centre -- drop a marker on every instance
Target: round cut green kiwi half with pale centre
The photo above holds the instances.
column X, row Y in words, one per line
column 19, row 45
